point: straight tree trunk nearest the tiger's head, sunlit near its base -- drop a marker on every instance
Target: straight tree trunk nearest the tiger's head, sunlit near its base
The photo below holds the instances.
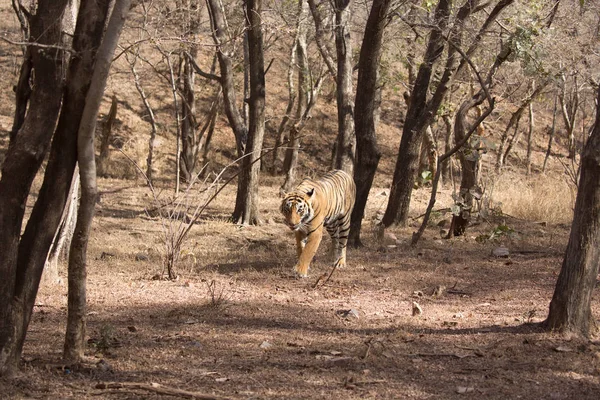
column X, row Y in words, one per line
column 246, row 204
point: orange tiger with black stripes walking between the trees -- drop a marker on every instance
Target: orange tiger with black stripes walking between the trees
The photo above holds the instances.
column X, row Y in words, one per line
column 316, row 204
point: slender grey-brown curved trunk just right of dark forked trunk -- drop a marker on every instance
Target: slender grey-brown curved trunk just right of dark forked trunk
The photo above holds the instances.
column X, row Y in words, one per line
column 75, row 336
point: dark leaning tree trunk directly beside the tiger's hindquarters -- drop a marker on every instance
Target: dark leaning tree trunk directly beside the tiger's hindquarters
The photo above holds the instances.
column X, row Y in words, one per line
column 368, row 153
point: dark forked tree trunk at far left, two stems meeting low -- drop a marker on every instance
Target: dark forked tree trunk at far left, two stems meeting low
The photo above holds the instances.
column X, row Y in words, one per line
column 23, row 272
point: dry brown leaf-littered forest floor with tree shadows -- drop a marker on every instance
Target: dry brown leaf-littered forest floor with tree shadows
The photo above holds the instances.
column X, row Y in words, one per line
column 237, row 323
